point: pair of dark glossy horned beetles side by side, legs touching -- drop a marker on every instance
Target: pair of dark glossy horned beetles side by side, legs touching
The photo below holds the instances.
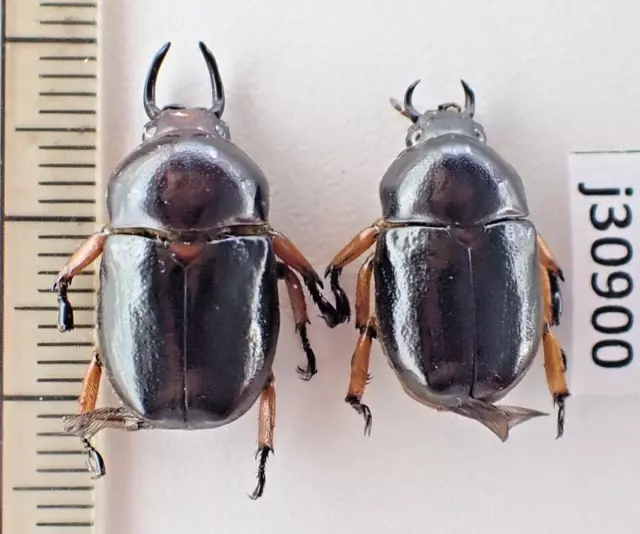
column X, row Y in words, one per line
column 465, row 290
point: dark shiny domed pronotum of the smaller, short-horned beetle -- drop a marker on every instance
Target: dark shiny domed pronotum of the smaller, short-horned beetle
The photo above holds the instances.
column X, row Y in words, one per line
column 451, row 179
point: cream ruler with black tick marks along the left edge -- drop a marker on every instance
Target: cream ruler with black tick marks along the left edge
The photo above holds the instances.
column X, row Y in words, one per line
column 49, row 191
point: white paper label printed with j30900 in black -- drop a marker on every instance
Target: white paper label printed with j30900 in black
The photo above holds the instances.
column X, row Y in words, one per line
column 605, row 218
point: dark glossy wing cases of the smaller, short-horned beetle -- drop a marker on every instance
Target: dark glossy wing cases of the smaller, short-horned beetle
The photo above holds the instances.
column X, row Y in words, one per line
column 459, row 310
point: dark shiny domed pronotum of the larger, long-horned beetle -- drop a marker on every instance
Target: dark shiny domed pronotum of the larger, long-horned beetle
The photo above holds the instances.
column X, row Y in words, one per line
column 187, row 183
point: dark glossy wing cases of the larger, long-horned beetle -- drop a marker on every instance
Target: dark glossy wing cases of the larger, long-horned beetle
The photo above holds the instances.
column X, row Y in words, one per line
column 188, row 346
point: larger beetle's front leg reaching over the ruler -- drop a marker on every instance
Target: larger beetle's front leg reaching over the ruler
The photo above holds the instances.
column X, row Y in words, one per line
column 87, row 253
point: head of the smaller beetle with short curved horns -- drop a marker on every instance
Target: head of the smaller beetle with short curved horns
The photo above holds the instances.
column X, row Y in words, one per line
column 449, row 118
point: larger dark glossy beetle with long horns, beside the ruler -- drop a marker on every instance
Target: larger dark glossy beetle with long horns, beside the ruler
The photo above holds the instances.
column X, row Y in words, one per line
column 188, row 310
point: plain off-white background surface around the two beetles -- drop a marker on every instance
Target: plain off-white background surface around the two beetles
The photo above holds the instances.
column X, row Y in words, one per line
column 307, row 96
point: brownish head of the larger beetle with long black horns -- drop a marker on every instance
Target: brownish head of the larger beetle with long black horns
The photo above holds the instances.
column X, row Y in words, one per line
column 175, row 119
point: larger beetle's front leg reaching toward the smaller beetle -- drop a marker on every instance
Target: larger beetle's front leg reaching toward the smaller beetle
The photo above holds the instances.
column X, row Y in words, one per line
column 292, row 257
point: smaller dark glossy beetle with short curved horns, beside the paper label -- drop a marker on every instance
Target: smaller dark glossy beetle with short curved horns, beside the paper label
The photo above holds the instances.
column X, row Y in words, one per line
column 465, row 288
